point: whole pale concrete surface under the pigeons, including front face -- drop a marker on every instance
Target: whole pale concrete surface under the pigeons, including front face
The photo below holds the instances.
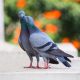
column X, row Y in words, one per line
column 13, row 60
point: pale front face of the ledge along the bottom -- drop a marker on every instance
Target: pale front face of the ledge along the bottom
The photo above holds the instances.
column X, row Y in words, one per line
column 39, row 76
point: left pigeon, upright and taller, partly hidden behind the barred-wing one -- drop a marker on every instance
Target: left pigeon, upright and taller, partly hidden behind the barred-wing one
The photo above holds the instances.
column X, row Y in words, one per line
column 24, row 40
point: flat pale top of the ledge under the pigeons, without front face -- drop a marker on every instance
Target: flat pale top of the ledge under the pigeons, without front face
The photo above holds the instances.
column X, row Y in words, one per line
column 15, row 61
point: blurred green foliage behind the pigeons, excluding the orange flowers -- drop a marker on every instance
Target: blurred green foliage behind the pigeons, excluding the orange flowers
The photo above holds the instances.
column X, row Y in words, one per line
column 68, row 24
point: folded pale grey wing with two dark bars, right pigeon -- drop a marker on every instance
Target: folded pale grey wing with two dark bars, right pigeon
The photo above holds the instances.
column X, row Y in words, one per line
column 44, row 44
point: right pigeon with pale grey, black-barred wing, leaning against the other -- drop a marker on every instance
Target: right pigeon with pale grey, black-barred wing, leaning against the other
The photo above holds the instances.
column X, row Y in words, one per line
column 45, row 46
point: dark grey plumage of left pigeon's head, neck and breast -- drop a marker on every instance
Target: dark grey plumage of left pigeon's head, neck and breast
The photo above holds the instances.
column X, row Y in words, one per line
column 24, row 38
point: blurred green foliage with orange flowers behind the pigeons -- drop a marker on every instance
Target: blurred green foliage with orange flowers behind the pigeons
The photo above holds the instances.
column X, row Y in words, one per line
column 60, row 19
